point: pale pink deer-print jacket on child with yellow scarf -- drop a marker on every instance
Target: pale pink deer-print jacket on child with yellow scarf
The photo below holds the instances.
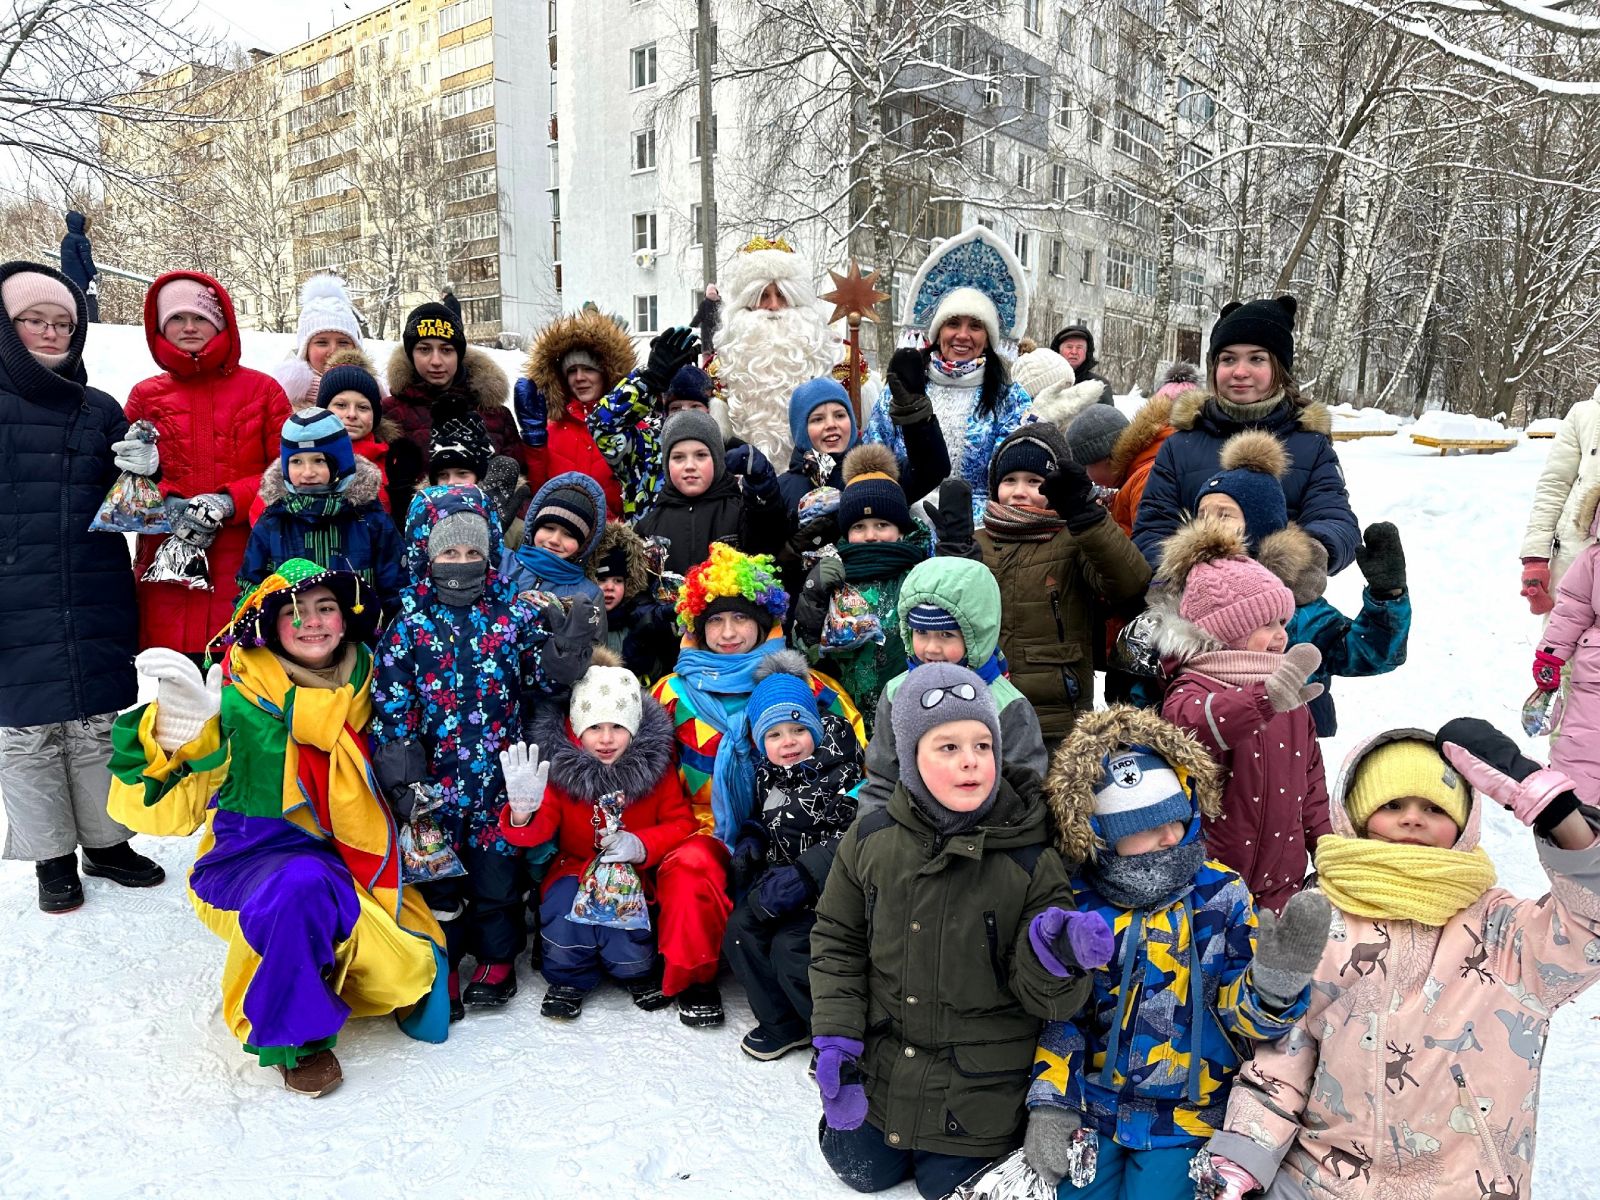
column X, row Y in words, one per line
column 1415, row 1073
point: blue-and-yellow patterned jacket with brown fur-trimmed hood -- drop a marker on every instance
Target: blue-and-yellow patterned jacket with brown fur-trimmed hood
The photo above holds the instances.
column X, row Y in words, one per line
column 1151, row 1058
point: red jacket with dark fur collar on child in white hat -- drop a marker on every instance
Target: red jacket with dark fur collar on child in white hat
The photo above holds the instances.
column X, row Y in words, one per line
column 646, row 774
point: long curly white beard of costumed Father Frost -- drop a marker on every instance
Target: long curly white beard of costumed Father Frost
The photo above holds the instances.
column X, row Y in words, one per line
column 761, row 361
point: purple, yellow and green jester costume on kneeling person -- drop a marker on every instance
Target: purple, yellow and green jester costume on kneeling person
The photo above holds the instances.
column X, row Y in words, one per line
column 298, row 868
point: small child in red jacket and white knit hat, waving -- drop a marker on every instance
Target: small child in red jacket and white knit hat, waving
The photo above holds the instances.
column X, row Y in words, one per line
column 614, row 750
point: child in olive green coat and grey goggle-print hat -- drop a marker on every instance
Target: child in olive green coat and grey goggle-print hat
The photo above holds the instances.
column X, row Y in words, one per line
column 929, row 993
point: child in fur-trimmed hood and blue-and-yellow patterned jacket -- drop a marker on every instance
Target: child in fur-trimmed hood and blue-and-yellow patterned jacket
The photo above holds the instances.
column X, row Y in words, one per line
column 1143, row 1073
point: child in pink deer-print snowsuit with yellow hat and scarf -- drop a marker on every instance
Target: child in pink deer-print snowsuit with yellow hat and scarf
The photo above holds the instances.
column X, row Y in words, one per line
column 1431, row 1006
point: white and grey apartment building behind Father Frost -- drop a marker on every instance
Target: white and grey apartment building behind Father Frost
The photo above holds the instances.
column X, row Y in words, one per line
column 1054, row 124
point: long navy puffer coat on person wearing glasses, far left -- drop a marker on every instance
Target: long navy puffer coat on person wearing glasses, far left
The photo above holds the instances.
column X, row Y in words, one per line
column 70, row 626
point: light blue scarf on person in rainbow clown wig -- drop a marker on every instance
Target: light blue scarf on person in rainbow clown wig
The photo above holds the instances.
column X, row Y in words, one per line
column 719, row 689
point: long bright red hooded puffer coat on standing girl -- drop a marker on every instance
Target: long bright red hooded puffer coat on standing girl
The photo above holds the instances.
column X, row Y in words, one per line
column 220, row 426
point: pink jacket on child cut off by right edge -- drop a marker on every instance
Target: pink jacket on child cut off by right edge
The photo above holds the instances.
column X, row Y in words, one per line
column 1574, row 636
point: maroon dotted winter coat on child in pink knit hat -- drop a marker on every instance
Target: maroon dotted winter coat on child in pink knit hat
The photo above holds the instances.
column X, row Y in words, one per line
column 1276, row 798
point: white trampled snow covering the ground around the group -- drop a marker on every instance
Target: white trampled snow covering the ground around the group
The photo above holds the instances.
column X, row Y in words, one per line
column 119, row 1079
